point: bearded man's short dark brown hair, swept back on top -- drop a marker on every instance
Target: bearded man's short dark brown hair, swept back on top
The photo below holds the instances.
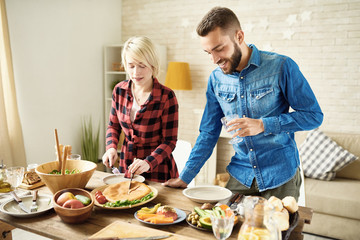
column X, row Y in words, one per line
column 218, row 17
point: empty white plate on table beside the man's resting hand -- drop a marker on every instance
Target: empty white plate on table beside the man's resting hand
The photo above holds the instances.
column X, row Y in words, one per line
column 210, row 194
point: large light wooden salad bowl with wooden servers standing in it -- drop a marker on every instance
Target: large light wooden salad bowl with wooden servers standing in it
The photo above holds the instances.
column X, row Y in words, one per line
column 57, row 182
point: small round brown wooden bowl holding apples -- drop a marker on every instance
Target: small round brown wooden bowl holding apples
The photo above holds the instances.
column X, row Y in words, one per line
column 69, row 215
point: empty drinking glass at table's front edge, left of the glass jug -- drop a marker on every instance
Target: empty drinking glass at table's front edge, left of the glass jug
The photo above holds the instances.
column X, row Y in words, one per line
column 222, row 226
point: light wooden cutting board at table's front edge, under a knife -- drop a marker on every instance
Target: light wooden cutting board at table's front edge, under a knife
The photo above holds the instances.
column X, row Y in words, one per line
column 124, row 229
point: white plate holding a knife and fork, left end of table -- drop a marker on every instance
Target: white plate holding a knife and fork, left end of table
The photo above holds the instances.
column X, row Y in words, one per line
column 12, row 208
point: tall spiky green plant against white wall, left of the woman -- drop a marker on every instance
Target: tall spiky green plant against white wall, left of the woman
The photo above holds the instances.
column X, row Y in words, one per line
column 90, row 141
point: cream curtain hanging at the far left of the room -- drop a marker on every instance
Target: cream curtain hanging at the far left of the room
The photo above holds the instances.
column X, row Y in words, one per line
column 12, row 150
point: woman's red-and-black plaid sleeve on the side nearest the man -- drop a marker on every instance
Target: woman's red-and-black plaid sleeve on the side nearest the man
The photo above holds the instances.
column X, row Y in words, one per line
column 169, row 131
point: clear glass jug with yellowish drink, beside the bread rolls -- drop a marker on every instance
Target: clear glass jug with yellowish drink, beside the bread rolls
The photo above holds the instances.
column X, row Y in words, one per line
column 258, row 223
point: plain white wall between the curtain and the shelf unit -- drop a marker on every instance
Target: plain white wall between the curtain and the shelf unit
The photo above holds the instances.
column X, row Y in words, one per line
column 57, row 49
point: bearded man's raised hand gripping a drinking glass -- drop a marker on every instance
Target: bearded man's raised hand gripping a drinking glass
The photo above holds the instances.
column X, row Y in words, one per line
column 246, row 127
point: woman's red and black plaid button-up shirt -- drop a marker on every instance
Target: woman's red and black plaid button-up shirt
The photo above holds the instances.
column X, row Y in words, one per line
column 153, row 134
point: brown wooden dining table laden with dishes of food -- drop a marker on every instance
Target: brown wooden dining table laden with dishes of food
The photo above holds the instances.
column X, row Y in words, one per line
column 51, row 226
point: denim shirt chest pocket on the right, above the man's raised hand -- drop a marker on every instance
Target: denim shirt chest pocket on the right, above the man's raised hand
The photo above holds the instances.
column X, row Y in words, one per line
column 262, row 100
